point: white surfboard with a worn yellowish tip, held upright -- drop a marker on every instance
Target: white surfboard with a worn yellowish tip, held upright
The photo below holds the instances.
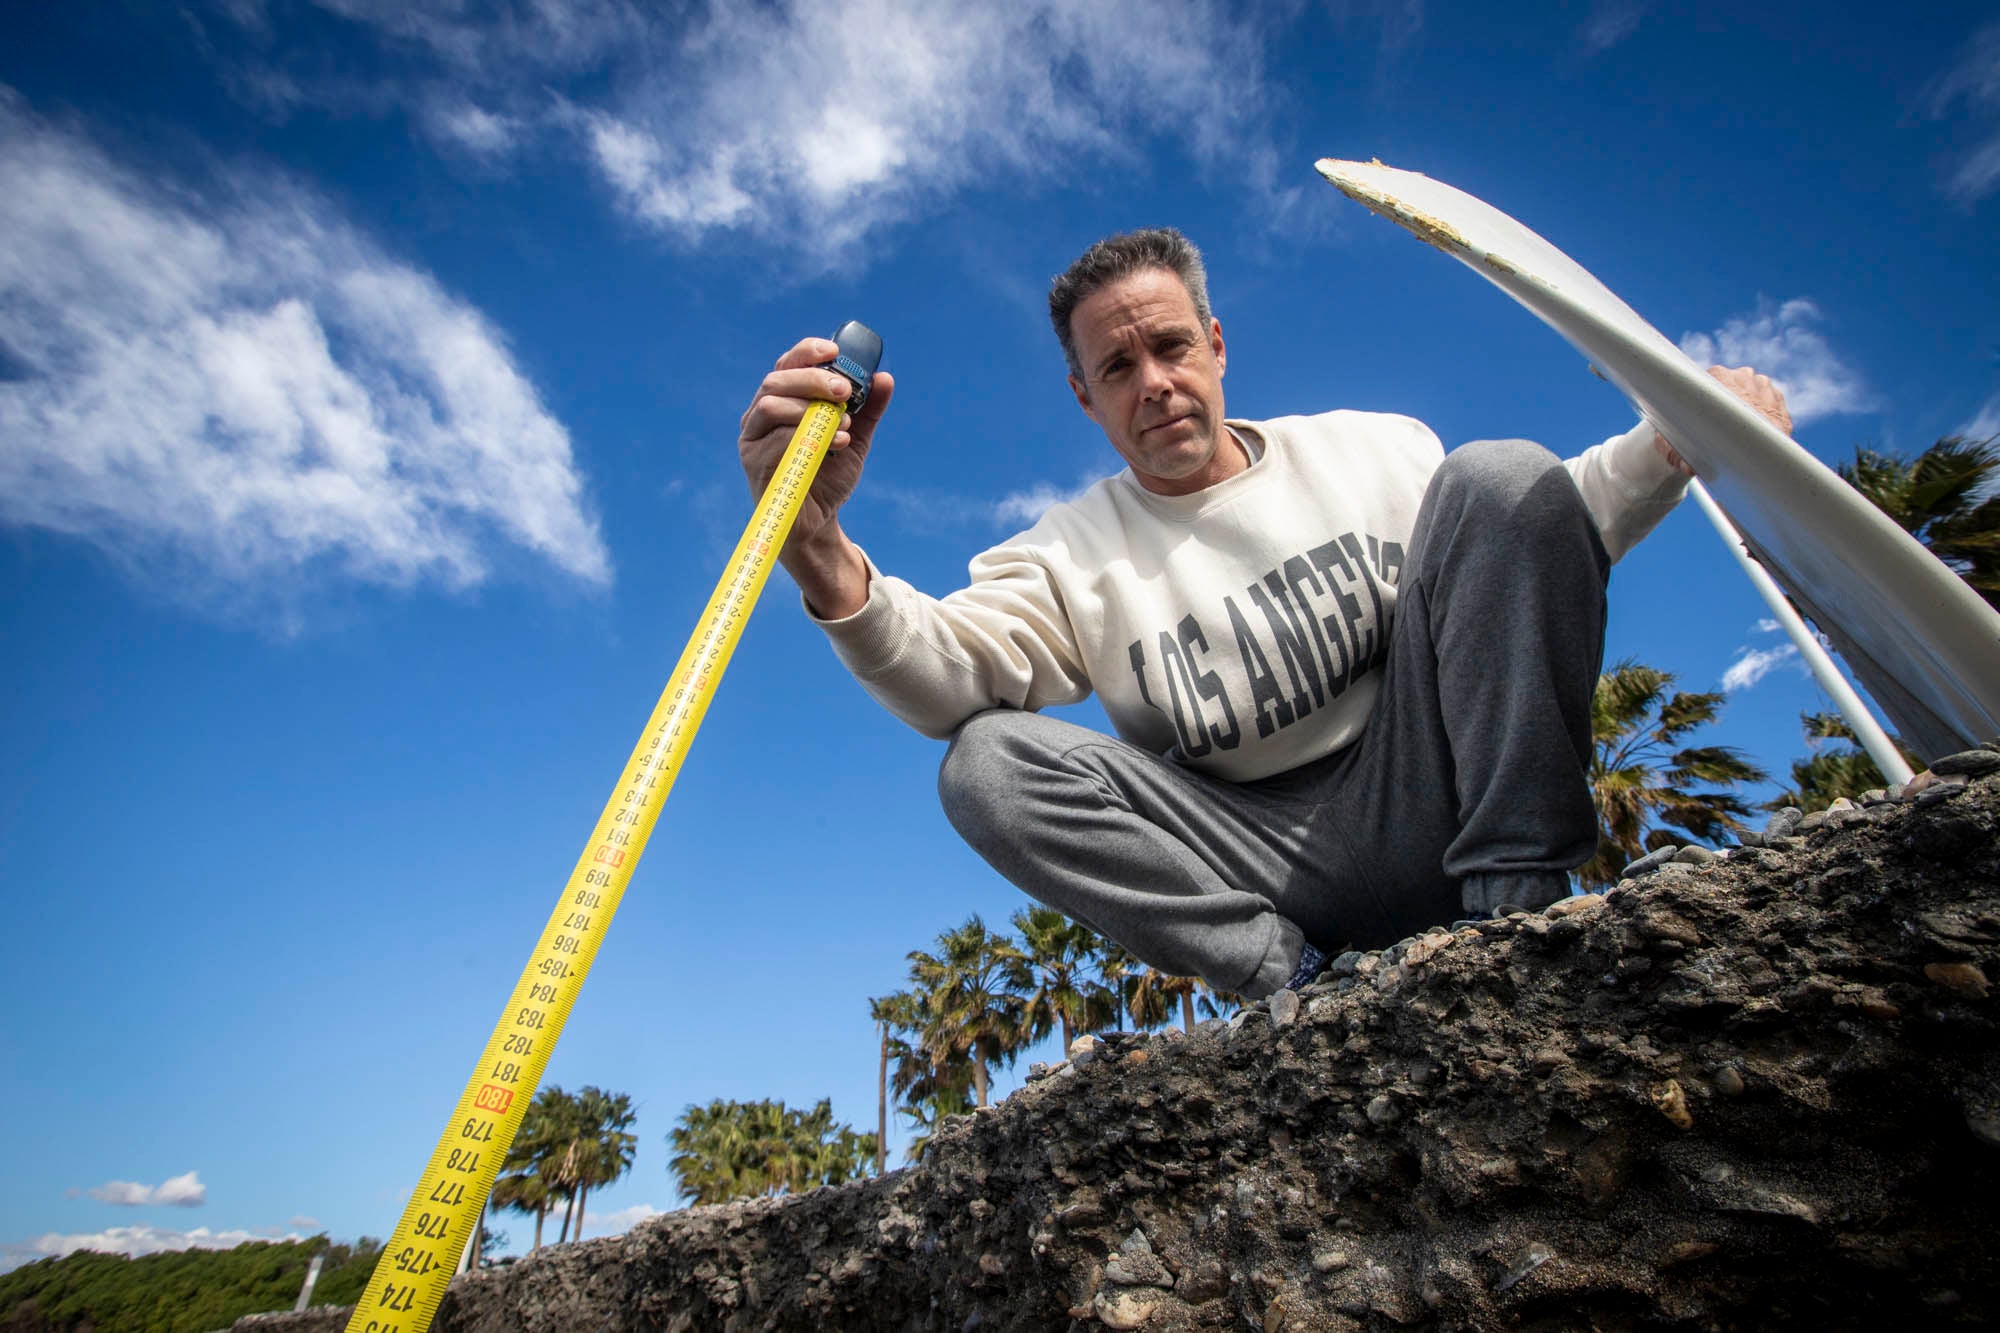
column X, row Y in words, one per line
column 1923, row 641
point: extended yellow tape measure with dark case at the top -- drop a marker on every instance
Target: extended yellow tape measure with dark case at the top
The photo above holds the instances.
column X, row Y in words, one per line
column 437, row 1228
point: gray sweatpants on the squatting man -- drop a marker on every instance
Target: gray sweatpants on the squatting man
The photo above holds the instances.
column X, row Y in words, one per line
column 1473, row 764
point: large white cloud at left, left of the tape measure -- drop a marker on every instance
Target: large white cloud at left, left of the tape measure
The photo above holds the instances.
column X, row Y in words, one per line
column 251, row 393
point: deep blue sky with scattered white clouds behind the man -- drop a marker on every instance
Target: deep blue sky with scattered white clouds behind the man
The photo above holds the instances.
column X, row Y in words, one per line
column 369, row 385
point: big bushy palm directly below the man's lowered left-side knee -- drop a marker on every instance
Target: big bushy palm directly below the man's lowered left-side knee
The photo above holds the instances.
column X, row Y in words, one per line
column 973, row 1000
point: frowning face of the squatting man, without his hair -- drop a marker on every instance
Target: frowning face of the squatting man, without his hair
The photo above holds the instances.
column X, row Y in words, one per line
column 1153, row 381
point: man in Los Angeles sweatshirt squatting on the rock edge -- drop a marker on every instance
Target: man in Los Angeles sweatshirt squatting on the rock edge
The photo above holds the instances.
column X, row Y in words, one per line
column 1351, row 676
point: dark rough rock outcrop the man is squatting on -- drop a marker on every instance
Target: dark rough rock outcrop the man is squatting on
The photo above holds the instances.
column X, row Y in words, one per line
column 1737, row 1094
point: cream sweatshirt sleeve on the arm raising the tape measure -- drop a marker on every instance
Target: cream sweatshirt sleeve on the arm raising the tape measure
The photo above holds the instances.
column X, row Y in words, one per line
column 1005, row 641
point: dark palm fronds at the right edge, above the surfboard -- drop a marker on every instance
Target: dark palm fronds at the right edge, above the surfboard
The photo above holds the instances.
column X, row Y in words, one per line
column 1937, row 499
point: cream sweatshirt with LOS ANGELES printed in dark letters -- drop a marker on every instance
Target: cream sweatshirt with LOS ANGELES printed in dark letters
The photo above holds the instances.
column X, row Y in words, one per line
column 1241, row 627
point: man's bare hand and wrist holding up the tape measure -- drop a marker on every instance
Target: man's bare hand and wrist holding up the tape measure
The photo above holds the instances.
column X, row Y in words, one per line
column 827, row 565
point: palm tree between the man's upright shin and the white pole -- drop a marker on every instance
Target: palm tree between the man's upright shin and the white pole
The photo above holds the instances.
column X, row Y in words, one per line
column 1643, row 786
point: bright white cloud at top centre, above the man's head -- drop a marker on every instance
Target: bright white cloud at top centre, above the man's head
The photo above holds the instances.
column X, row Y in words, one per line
column 731, row 137
